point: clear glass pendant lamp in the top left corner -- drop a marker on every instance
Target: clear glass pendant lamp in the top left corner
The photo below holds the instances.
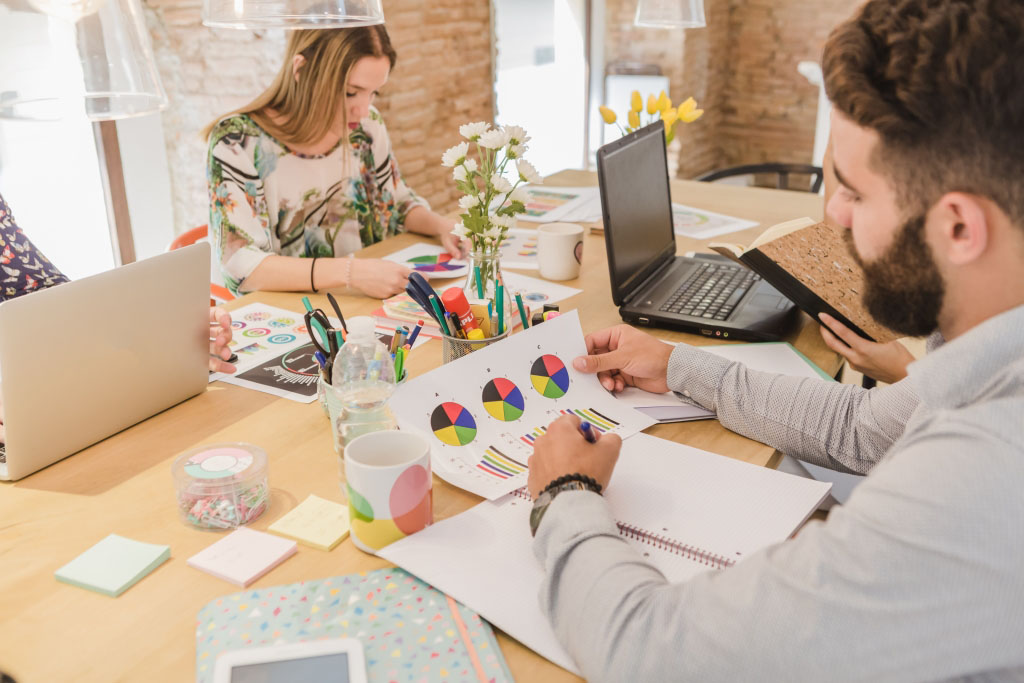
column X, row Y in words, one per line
column 70, row 58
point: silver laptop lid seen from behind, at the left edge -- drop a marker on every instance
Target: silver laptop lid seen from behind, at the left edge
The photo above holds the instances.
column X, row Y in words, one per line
column 86, row 360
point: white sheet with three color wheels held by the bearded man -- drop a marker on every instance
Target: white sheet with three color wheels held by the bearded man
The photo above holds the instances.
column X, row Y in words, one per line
column 483, row 413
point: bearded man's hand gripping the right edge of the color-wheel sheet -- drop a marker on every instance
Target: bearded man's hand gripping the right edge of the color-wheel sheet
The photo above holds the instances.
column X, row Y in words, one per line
column 624, row 357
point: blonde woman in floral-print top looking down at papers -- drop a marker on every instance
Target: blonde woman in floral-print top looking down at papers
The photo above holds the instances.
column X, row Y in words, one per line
column 305, row 175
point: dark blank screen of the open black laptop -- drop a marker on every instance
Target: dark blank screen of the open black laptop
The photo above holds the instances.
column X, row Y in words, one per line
column 637, row 207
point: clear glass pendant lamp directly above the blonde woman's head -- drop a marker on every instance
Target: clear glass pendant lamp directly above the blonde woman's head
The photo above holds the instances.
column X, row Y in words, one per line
column 292, row 14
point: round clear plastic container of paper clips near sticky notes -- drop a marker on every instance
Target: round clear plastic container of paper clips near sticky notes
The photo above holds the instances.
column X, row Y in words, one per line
column 222, row 486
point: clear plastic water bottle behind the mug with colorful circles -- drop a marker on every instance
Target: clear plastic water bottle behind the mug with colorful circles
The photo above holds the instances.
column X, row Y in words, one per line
column 363, row 380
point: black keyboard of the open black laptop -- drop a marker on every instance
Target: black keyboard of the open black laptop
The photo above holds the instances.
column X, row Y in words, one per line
column 712, row 291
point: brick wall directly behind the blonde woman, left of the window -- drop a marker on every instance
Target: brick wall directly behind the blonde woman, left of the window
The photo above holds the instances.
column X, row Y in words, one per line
column 443, row 80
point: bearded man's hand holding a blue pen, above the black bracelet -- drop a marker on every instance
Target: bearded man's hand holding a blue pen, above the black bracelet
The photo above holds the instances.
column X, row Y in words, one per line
column 563, row 450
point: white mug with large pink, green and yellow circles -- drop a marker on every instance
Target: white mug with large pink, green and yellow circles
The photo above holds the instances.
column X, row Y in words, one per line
column 388, row 475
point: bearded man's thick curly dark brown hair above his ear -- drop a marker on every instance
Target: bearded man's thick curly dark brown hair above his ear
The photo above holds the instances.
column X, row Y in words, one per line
column 943, row 83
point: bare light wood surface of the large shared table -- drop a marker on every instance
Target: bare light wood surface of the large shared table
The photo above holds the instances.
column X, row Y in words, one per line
column 54, row 632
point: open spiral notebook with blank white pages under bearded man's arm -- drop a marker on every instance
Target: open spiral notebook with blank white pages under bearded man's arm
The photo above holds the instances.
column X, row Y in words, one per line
column 687, row 511
